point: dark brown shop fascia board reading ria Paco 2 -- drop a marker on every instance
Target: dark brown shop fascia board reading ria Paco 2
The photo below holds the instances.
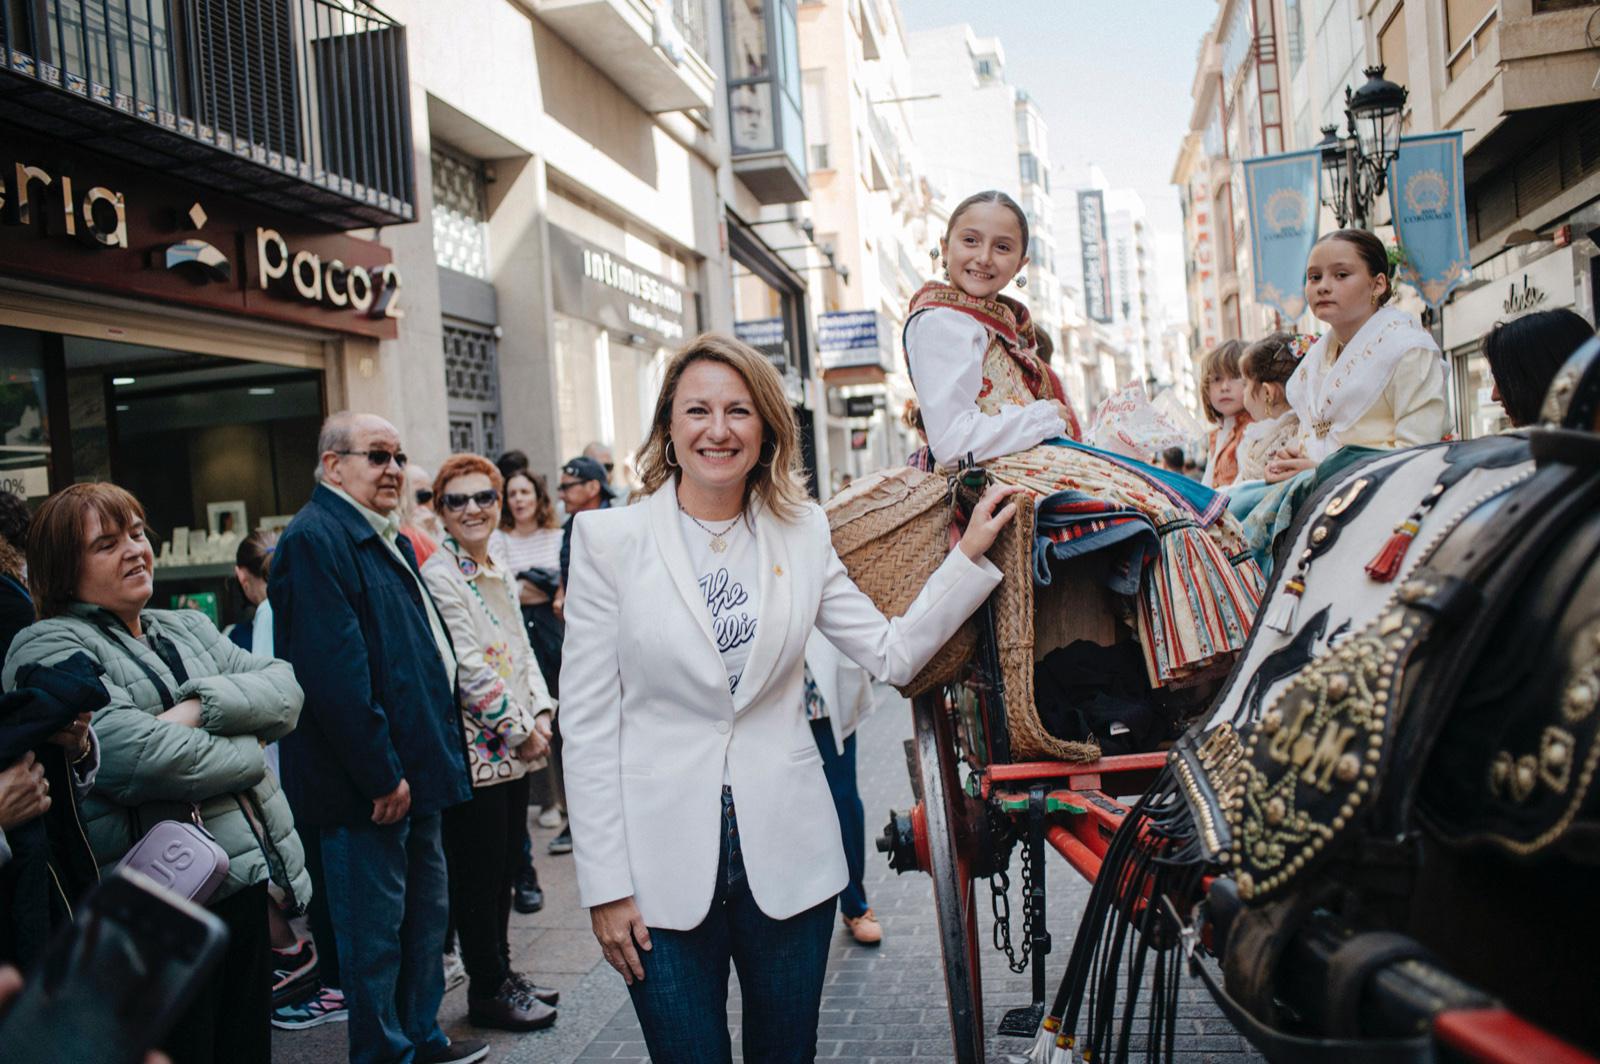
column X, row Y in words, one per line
column 94, row 223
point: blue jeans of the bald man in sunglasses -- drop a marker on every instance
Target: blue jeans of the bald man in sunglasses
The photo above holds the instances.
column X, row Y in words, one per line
column 388, row 897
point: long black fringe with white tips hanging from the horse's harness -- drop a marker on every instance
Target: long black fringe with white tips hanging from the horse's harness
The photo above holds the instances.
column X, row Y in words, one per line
column 1124, row 934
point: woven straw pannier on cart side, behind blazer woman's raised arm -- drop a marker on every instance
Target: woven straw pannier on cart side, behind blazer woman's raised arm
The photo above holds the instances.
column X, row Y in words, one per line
column 892, row 530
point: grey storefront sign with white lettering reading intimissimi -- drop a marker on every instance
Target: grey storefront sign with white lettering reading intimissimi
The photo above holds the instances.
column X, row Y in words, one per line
column 606, row 289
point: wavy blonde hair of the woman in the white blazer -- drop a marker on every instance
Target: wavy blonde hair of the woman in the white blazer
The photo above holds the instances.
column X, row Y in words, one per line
column 775, row 479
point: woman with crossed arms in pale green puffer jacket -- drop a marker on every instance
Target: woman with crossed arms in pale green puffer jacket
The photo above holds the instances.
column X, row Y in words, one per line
column 183, row 735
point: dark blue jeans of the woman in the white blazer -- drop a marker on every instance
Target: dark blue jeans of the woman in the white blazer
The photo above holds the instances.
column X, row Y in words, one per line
column 682, row 1002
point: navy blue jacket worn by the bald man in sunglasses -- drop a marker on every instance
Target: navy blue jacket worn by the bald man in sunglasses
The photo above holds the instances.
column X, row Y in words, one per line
column 378, row 705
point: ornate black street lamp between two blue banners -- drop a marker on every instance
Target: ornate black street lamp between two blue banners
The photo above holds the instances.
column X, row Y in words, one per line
column 1358, row 166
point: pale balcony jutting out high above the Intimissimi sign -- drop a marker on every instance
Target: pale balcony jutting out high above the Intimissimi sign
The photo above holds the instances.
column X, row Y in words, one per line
column 652, row 49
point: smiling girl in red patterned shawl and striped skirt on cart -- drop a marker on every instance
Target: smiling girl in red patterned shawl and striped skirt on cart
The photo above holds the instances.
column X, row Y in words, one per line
column 985, row 398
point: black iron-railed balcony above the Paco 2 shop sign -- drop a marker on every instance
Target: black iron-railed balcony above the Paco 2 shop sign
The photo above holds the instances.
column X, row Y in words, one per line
column 300, row 105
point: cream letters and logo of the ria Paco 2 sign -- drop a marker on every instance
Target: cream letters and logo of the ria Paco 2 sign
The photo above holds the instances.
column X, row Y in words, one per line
column 100, row 217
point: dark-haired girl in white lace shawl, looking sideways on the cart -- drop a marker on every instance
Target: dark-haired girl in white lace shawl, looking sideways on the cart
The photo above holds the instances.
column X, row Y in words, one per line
column 1377, row 378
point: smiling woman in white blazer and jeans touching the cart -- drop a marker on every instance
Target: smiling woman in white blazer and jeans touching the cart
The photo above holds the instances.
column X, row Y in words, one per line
column 687, row 620
